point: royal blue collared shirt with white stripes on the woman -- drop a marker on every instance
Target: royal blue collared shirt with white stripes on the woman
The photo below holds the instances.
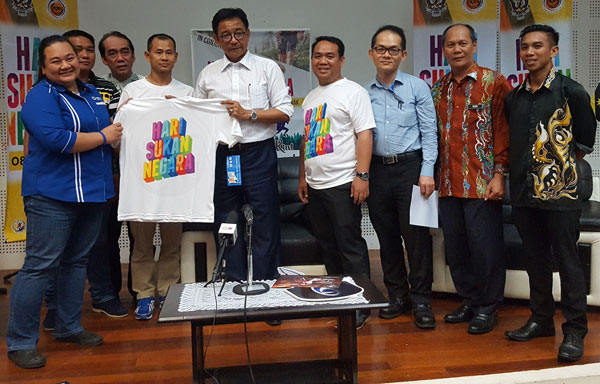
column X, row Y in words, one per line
column 54, row 116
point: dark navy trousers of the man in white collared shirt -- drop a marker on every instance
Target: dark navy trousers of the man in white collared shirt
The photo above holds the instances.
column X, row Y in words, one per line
column 259, row 188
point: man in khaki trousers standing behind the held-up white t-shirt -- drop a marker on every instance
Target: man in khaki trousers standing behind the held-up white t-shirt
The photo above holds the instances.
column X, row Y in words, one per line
column 162, row 56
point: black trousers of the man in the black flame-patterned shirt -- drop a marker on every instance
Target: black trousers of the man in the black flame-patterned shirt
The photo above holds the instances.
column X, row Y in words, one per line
column 540, row 231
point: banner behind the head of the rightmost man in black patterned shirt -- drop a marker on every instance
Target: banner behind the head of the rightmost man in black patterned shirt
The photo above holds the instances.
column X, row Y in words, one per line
column 516, row 15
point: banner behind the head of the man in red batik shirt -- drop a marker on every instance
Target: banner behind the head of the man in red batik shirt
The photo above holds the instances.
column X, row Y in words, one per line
column 431, row 17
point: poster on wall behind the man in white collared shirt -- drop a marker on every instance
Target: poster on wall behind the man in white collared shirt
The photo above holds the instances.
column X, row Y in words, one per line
column 290, row 49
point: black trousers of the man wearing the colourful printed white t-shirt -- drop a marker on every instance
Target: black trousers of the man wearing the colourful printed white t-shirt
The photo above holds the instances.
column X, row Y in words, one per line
column 335, row 220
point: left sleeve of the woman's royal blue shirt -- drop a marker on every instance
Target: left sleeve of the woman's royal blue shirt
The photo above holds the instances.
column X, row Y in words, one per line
column 42, row 117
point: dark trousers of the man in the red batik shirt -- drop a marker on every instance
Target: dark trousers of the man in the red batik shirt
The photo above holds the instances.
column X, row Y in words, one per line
column 474, row 243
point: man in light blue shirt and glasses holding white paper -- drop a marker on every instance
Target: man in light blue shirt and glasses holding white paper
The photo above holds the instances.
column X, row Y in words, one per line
column 404, row 154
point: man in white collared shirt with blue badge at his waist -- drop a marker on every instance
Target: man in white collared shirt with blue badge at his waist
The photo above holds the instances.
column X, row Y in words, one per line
column 257, row 96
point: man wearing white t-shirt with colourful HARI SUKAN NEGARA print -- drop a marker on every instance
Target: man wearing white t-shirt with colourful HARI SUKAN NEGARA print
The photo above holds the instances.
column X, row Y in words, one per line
column 334, row 162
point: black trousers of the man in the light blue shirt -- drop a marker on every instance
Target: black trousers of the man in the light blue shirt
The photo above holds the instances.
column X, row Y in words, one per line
column 389, row 209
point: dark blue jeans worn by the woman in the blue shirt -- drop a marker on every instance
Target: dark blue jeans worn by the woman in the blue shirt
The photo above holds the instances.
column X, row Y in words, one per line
column 59, row 236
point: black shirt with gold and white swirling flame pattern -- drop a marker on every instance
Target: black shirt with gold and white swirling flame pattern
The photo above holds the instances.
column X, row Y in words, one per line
column 546, row 128
